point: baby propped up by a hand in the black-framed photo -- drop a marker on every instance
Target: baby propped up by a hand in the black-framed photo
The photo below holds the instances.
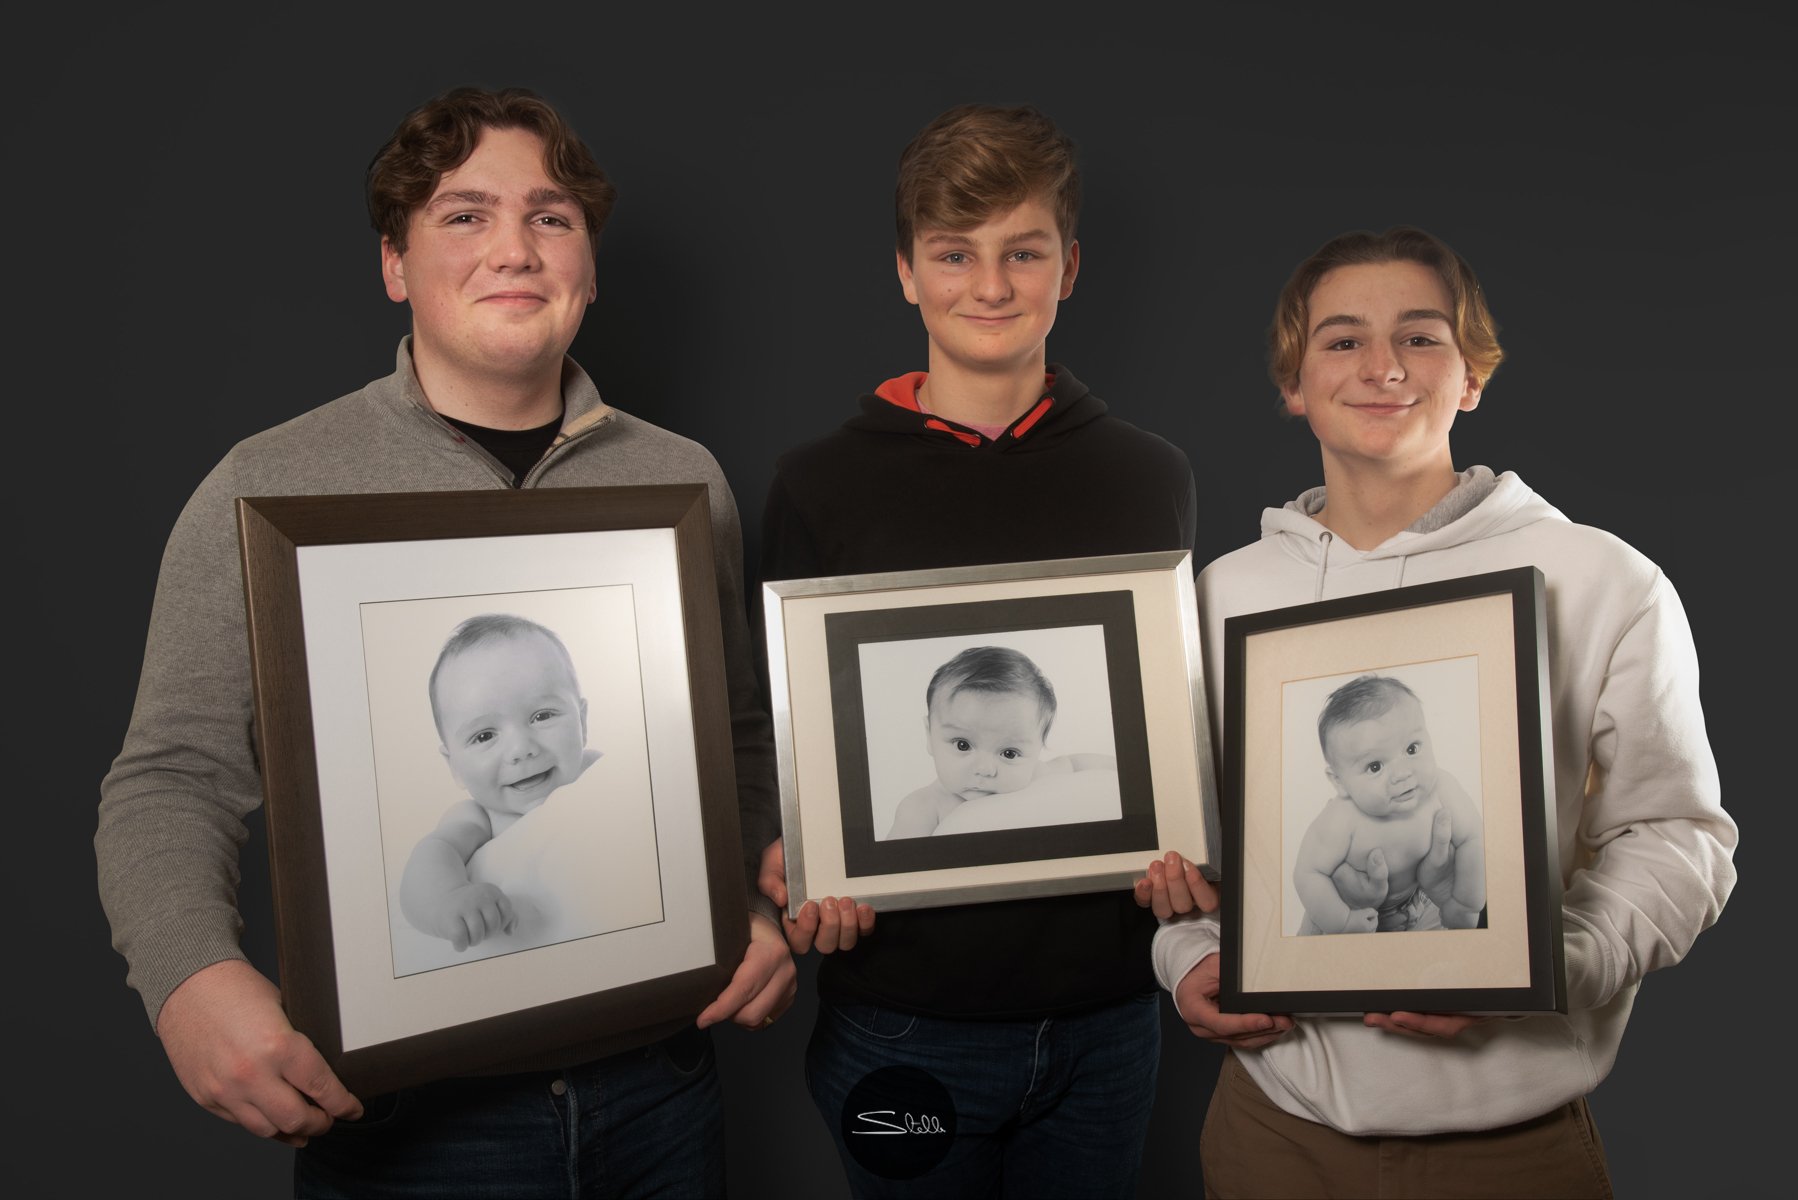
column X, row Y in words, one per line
column 1398, row 846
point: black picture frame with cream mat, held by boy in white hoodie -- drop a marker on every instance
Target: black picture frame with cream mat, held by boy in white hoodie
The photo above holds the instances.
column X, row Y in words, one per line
column 1484, row 638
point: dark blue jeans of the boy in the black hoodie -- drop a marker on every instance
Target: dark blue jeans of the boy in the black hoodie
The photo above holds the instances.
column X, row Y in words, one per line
column 1042, row 1109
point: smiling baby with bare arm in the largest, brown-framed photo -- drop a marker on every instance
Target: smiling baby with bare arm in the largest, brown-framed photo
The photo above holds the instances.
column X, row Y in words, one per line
column 513, row 730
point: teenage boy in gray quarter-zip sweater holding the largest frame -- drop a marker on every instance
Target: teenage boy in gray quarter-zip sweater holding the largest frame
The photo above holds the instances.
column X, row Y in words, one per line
column 490, row 210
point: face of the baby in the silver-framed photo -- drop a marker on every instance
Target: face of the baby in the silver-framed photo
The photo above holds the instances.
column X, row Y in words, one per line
column 986, row 742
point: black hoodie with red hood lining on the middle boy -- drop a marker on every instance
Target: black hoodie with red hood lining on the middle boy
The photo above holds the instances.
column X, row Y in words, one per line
column 889, row 492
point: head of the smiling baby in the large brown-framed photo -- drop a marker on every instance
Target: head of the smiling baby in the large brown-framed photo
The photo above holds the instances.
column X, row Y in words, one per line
column 513, row 722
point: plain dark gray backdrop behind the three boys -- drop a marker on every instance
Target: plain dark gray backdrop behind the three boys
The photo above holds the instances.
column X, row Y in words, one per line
column 191, row 265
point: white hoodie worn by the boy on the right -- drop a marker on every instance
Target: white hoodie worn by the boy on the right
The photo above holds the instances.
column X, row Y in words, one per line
column 1644, row 841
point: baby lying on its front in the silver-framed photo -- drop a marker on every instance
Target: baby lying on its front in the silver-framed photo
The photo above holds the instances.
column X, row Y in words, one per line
column 988, row 713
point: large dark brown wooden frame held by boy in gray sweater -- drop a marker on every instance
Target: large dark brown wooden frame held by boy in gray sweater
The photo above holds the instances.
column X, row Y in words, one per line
column 274, row 533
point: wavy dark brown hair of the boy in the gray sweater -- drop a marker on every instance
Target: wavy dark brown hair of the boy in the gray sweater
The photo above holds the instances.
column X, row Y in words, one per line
column 441, row 134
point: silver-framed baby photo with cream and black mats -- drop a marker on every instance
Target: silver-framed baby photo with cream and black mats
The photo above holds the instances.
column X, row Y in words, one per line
column 990, row 733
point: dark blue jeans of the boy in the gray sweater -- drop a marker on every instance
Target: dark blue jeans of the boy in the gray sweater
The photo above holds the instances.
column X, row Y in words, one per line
column 643, row 1124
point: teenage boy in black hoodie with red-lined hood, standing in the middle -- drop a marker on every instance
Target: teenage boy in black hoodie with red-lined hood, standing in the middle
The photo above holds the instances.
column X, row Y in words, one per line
column 1037, row 1016
